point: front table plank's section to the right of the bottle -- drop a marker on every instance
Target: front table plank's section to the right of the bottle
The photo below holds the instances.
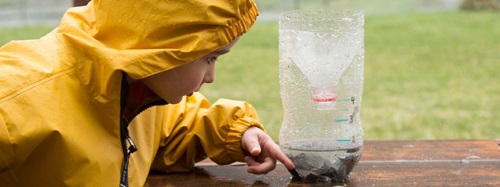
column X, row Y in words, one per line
column 430, row 173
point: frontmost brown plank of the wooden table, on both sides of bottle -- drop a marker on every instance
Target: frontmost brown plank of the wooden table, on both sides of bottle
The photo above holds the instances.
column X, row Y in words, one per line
column 365, row 174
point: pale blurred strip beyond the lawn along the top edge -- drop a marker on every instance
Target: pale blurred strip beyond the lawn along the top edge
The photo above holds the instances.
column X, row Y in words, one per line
column 49, row 12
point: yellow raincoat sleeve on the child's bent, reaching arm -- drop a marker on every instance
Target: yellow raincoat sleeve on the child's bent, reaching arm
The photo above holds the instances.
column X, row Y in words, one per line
column 195, row 129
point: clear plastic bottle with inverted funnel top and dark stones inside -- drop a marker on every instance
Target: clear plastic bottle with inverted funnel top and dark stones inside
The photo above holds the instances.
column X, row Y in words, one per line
column 321, row 85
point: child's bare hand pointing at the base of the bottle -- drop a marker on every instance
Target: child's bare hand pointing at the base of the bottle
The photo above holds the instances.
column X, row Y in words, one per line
column 263, row 152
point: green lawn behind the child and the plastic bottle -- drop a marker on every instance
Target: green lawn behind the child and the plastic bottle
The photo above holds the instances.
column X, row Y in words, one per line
column 427, row 75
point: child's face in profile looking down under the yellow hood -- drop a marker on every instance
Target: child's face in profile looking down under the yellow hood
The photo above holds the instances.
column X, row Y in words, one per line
column 176, row 83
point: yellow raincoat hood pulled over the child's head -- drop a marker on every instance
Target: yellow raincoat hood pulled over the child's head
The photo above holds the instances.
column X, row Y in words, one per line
column 142, row 38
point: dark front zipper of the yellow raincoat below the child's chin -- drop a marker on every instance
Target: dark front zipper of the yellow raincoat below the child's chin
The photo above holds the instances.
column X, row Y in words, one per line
column 126, row 140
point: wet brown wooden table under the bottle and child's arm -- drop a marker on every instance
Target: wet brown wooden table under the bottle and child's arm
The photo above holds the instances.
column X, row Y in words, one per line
column 383, row 163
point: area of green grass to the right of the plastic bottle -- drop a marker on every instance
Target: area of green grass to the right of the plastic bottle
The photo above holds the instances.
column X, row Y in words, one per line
column 432, row 76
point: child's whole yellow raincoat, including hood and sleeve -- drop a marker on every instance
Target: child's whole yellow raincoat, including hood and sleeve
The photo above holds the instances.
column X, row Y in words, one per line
column 61, row 96
